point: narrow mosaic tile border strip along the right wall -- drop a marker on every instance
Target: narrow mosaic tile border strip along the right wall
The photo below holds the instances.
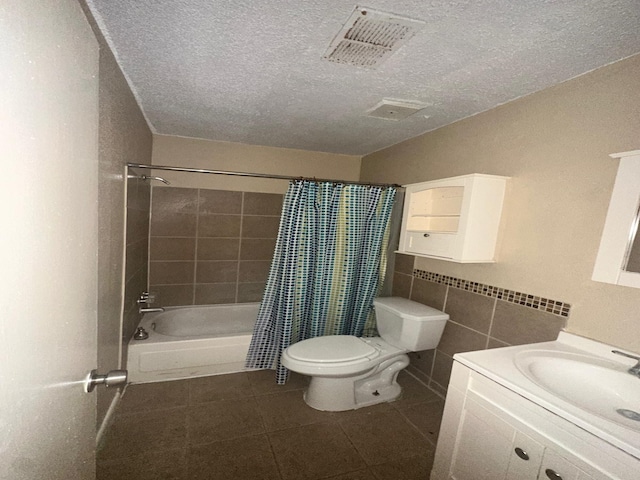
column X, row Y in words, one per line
column 544, row 304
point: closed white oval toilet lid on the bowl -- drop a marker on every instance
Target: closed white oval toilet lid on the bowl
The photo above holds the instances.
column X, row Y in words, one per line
column 331, row 349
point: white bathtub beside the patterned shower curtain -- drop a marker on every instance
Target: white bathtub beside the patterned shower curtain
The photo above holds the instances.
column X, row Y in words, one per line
column 192, row 341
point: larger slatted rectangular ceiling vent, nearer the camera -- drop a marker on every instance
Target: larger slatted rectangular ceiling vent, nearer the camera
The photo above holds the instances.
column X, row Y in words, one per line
column 369, row 37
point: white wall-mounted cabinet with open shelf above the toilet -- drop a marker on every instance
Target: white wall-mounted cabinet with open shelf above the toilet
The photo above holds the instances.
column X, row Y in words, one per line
column 455, row 219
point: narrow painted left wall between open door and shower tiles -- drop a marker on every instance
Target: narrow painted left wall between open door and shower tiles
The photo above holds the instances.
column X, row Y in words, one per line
column 123, row 137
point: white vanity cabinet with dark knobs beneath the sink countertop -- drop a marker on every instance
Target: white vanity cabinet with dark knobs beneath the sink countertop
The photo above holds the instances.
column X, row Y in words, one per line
column 489, row 432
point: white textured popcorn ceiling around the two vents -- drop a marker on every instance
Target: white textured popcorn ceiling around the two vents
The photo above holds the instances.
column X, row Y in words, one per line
column 251, row 71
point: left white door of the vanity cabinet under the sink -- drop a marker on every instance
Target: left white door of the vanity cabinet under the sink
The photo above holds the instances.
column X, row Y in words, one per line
column 483, row 447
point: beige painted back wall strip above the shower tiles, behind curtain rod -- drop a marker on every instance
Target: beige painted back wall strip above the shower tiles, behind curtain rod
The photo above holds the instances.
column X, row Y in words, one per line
column 207, row 154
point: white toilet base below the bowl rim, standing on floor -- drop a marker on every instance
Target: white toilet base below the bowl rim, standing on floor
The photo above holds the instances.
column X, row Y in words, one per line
column 337, row 394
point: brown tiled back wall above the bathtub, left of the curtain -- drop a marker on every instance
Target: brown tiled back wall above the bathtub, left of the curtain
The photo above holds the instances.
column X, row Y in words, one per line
column 211, row 246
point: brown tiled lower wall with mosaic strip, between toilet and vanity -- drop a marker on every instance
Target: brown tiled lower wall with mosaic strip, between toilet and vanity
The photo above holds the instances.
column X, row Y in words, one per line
column 481, row 317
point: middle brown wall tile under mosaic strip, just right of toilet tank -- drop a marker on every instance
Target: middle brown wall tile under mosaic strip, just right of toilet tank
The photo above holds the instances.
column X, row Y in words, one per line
column 470, row 309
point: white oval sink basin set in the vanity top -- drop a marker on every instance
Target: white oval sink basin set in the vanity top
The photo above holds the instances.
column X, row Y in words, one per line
column 596, row 385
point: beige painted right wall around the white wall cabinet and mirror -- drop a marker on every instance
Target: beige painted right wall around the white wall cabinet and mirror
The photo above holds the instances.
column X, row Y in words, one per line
column 555, row 146
